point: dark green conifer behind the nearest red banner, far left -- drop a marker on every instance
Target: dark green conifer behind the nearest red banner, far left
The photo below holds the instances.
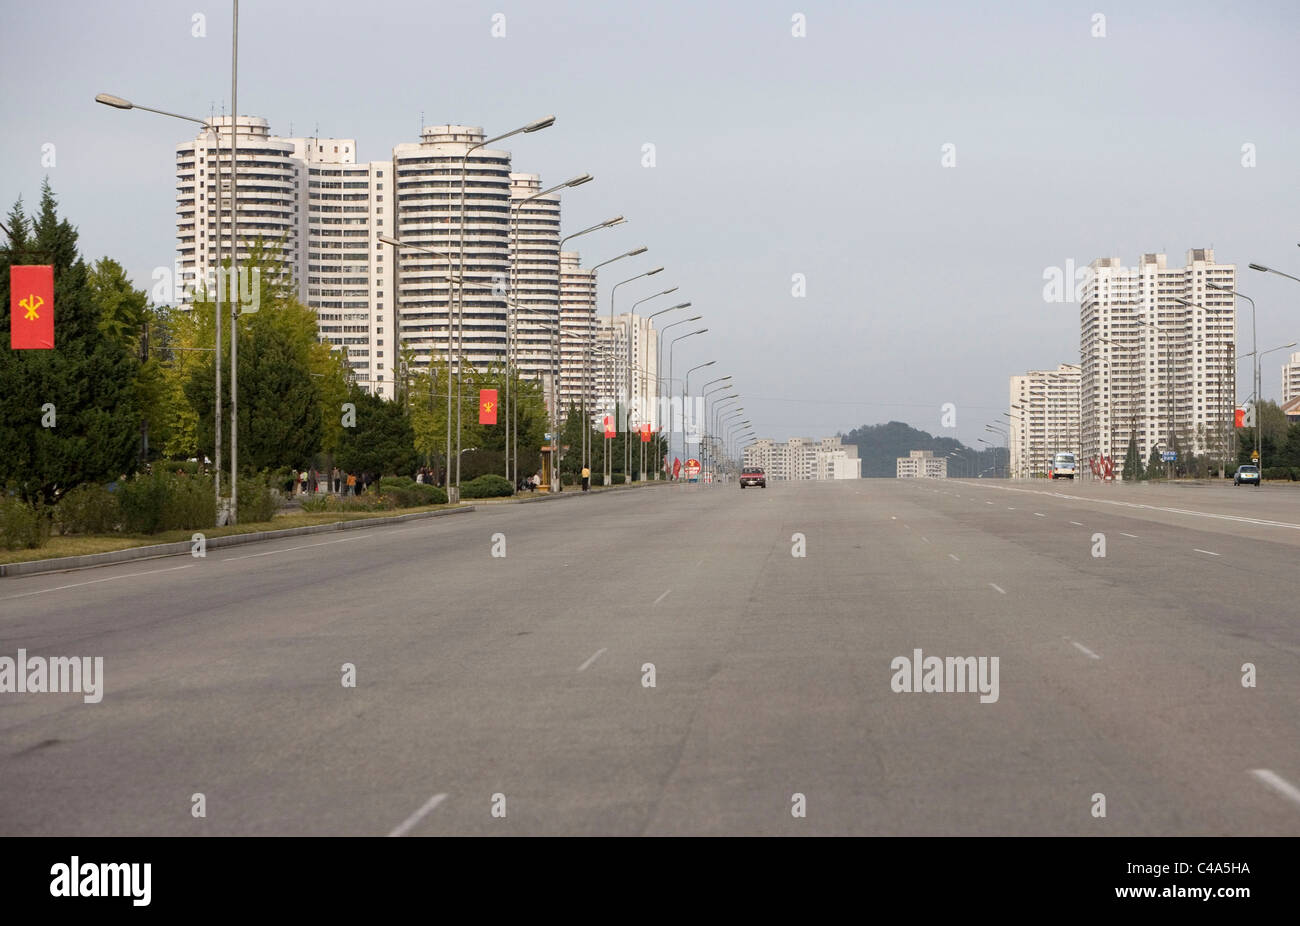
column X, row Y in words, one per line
column 89, row 379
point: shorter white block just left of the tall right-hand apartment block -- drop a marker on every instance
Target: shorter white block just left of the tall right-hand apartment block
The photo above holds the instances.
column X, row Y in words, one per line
column 1045, row 419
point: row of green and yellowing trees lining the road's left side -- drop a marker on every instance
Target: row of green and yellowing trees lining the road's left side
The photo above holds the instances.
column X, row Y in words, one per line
column 131, row 384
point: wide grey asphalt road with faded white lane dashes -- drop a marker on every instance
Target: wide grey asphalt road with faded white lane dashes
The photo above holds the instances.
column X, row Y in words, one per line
column 510, row 694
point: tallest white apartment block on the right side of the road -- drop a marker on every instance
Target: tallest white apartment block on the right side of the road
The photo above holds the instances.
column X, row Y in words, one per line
column 1154, row 366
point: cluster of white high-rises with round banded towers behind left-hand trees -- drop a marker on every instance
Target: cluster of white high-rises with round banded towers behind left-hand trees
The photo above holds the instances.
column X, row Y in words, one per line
column 326, row 211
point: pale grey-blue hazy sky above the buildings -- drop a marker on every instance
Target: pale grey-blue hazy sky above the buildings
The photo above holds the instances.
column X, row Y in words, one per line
column 775, row 155
